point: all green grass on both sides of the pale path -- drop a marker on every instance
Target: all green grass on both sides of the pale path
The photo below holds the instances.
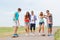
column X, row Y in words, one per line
column 8, row 31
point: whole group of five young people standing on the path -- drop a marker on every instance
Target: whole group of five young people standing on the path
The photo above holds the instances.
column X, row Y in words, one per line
column 30, row 22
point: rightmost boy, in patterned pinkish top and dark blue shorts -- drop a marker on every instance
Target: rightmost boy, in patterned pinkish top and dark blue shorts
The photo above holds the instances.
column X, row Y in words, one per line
column 49, row 22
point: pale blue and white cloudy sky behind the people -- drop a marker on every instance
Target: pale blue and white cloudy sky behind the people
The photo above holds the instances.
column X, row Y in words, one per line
column 9, row 7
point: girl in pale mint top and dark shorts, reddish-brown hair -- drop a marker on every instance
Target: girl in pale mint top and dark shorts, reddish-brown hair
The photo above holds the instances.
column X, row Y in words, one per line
column 41, row 23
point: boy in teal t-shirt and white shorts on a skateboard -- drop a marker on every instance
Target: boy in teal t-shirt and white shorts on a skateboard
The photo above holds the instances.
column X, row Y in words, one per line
column 16, row 22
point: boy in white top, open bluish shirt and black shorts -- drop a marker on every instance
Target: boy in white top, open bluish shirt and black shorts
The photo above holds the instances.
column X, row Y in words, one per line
column 32, row 21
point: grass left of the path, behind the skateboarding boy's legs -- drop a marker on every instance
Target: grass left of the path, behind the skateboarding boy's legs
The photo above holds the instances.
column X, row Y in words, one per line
column 8, row 31
